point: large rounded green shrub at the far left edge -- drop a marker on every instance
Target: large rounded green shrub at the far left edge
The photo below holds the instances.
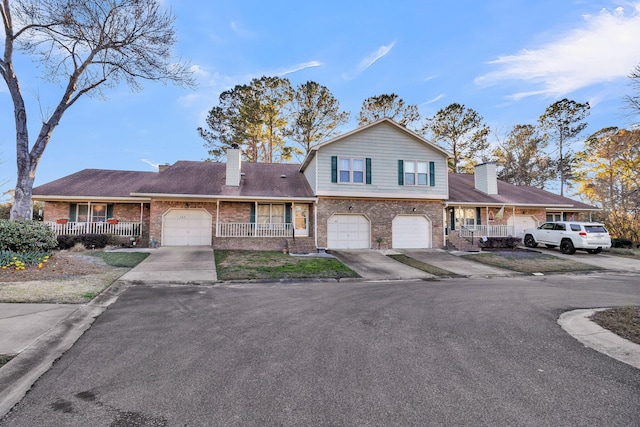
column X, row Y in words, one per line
column 26, row 236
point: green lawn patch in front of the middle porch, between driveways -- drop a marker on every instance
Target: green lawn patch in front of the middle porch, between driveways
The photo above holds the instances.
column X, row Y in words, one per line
column 241, row 265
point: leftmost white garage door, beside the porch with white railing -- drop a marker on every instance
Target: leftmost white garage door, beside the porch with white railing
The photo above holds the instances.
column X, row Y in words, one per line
column 186, row 227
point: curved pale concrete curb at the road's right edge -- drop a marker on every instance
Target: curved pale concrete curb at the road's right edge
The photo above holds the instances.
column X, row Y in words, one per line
column 577, row 324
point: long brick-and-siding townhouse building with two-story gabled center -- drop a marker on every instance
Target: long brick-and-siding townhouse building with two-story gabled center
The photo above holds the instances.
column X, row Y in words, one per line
column 379, row 186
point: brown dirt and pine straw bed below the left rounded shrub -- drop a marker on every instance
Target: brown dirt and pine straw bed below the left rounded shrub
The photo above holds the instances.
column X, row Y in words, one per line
column 61, row 265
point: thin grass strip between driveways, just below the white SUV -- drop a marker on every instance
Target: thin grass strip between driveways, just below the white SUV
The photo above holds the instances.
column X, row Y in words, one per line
column 530, row 262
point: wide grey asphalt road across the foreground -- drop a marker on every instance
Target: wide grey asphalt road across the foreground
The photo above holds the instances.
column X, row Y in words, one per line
column 454, row 352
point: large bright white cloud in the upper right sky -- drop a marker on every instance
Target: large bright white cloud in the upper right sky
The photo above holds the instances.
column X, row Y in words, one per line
column 603, row 49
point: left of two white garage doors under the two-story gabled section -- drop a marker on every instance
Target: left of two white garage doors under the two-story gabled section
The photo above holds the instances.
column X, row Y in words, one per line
column 348, row 232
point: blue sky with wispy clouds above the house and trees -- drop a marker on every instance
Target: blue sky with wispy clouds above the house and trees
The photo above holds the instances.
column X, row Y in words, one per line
column 506, row 59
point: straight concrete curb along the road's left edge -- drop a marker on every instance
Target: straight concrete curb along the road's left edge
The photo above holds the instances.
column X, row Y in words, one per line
column 18, row 376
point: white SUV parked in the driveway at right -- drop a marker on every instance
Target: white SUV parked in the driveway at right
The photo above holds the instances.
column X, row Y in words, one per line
column 592, row 237
